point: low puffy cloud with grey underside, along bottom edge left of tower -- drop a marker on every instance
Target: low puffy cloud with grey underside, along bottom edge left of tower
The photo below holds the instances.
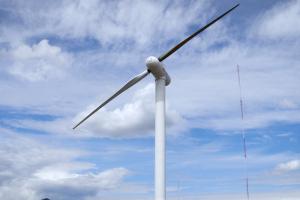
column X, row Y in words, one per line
column 71, row 186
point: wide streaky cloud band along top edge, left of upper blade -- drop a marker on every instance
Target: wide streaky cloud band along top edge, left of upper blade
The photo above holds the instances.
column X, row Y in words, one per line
column 134, row 22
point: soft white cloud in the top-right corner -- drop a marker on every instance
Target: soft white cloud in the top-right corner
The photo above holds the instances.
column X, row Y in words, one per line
column 280, row 22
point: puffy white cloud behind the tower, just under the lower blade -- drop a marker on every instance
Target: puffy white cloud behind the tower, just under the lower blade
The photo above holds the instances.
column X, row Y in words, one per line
column 134, row 119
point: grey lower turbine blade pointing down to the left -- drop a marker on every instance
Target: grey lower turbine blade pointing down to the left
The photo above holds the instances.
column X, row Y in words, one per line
column 125, row 87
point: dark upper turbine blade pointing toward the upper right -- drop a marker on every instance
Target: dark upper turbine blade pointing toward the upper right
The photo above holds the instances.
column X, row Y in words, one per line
column 171, row 51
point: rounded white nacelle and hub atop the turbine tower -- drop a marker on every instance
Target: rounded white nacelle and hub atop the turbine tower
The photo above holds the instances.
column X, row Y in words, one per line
column 155, row 67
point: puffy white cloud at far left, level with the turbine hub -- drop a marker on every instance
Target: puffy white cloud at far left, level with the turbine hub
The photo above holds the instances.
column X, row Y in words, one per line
column 40, row 61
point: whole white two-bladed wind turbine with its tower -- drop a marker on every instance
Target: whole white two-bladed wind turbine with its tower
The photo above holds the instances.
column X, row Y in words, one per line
column 162, row 79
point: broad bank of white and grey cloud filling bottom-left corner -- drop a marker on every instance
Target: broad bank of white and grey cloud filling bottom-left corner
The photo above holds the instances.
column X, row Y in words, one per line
column 37, row 170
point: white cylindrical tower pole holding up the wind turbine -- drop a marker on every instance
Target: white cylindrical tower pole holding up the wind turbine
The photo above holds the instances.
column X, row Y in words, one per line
column 160, row 135
